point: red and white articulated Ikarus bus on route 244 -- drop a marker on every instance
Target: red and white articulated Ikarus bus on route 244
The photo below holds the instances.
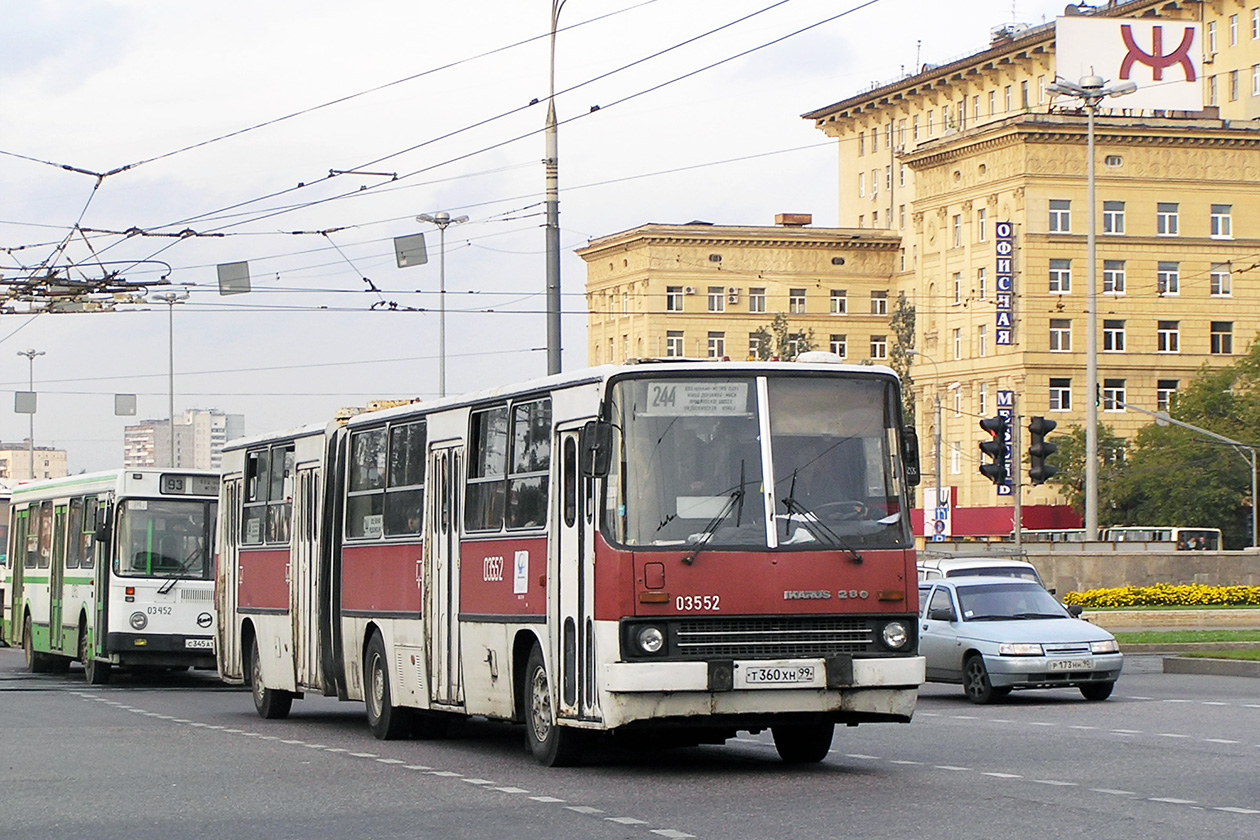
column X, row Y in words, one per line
column 677, row 551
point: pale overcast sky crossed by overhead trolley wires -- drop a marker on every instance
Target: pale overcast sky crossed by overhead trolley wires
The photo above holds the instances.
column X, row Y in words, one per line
column 215, row 110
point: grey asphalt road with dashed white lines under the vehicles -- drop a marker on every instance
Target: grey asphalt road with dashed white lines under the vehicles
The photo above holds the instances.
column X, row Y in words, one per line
column 181, row 756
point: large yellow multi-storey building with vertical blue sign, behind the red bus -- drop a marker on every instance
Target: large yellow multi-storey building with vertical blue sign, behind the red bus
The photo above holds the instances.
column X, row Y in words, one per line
column 947, row 173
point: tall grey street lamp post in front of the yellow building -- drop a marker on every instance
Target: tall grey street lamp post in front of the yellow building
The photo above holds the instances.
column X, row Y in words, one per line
column 1091, row 91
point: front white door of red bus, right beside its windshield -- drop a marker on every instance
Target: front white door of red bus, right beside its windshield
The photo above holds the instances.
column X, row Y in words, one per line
column 573, row 566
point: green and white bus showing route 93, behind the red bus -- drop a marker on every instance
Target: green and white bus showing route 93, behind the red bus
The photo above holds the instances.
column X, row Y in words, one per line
column 113, row 570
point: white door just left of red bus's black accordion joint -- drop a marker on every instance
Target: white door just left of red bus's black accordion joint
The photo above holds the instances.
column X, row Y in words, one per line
column 304, row 577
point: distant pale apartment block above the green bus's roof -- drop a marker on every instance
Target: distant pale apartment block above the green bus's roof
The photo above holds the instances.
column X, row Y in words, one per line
column 200, row 436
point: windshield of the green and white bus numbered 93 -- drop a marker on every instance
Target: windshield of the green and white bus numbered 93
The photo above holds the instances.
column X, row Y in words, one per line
column 166, row 538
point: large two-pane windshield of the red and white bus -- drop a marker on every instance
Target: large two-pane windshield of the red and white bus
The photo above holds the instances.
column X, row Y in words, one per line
column 694, row 465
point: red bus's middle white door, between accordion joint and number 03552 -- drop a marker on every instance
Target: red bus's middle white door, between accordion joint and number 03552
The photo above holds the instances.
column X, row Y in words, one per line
column 443, row 575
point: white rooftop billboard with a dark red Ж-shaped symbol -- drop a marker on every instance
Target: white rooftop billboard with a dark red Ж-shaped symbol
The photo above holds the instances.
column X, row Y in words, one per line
column 1164, row 57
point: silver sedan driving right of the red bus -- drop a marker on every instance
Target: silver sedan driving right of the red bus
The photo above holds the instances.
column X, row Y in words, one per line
column 995, row 635
